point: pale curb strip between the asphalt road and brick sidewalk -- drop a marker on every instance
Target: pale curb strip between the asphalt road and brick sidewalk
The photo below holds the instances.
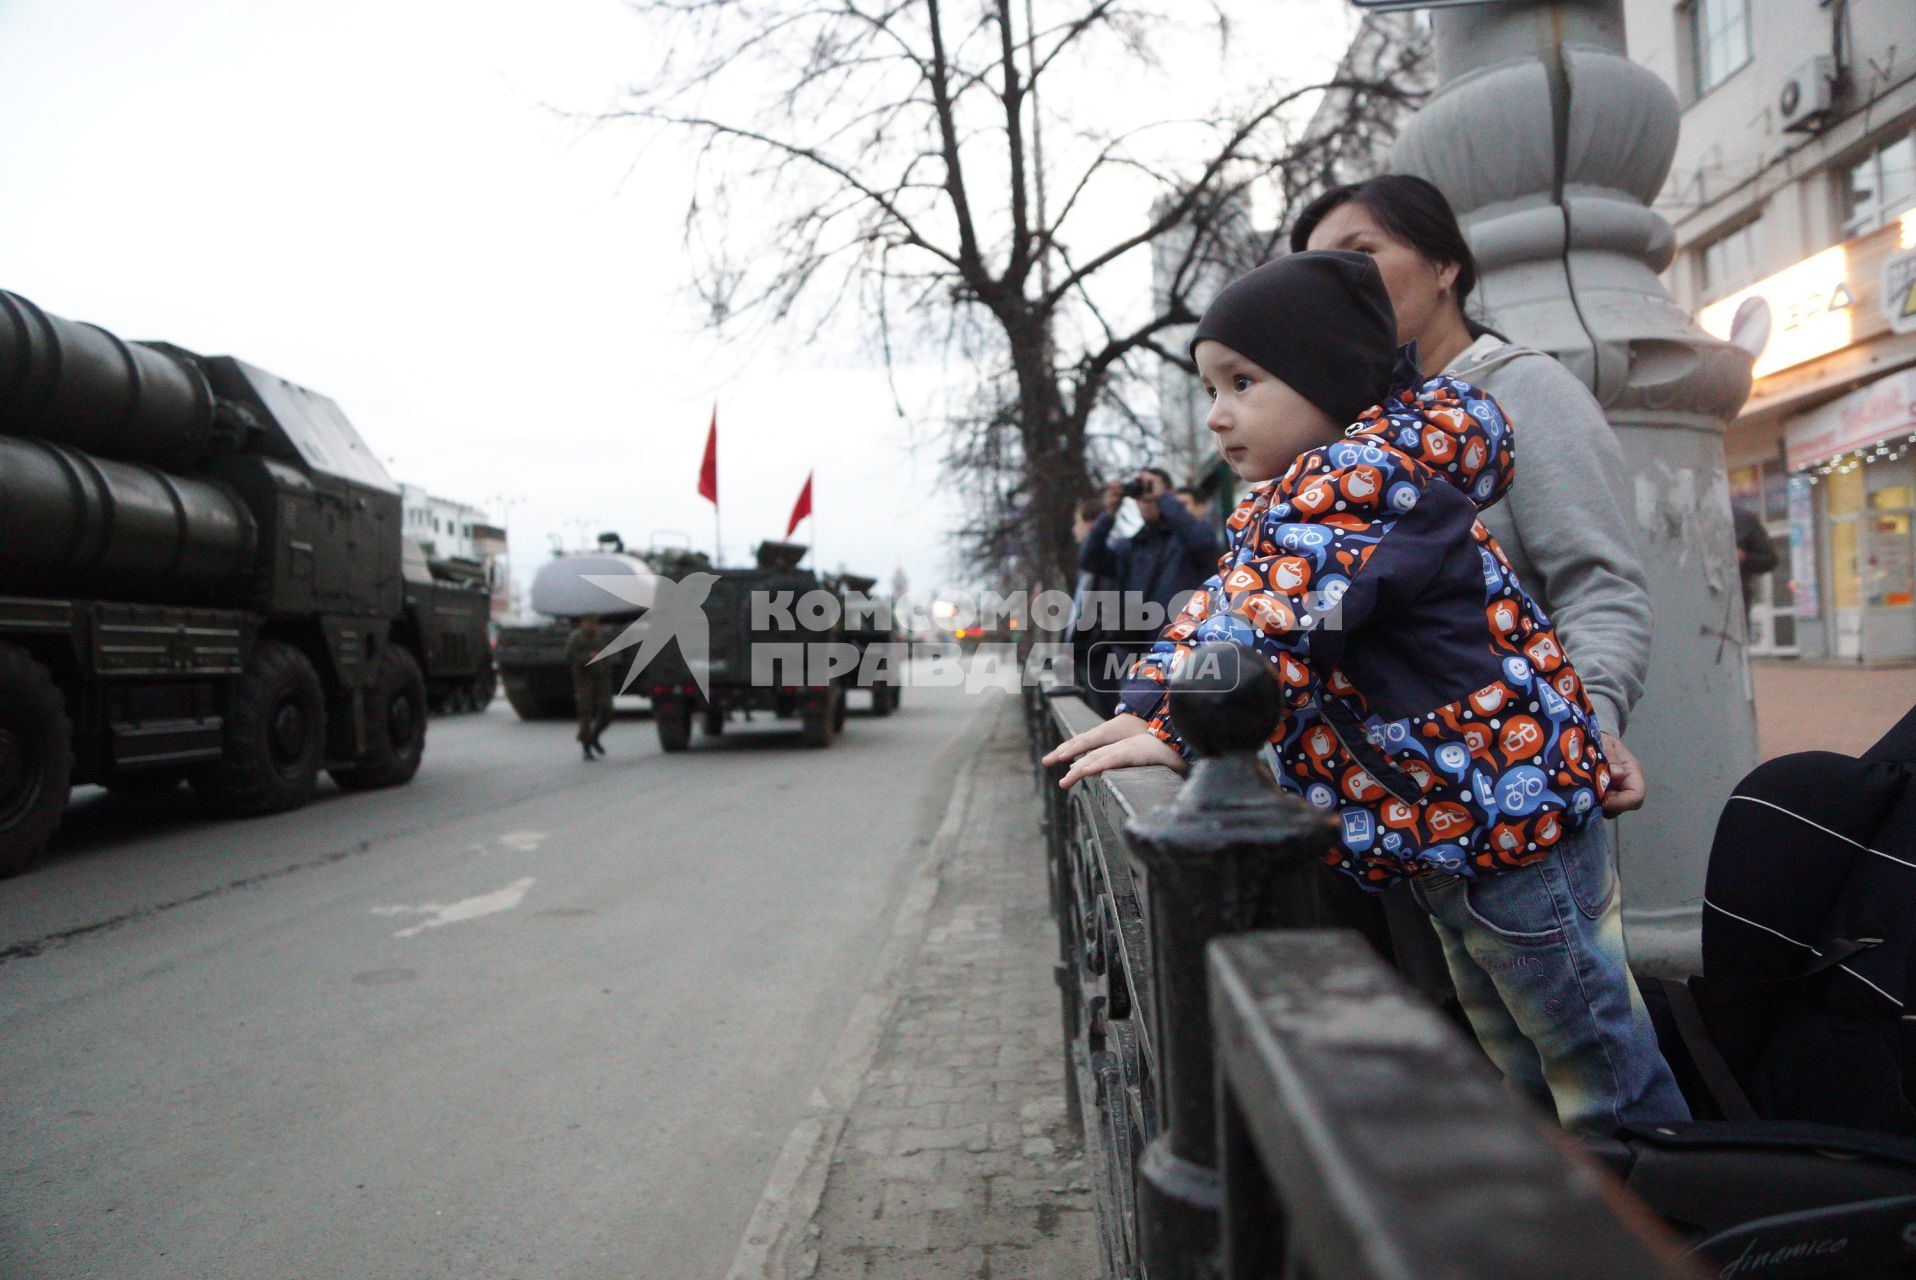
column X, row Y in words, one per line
column 798, row 1179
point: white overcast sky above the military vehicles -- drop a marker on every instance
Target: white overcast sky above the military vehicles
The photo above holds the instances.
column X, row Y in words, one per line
column 396, row 202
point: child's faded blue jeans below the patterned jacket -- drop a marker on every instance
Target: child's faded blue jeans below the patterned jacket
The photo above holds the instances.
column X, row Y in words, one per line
column 1540, row 969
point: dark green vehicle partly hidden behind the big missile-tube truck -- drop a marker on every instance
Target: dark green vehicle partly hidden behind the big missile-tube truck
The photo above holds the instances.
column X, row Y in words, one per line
column 449, row 628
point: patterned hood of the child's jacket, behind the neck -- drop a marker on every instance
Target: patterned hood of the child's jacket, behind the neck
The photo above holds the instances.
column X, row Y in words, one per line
column 1446, row 424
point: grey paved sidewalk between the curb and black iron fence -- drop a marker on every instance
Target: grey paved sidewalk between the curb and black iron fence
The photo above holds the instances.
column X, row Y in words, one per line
column 957, row 1160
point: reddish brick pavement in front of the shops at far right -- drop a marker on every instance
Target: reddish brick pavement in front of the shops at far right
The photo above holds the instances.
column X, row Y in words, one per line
column 1827, row 708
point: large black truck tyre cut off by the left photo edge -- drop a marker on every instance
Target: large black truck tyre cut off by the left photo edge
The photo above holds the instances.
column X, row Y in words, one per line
column 35, row 760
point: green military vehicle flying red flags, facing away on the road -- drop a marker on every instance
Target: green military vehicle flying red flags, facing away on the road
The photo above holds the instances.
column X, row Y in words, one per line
column 731, row 683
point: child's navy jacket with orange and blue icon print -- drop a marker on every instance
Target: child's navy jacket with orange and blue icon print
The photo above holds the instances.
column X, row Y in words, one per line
column 1430, row 706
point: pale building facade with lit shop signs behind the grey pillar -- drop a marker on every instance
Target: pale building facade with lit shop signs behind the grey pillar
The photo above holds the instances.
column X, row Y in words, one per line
column 1794, row 204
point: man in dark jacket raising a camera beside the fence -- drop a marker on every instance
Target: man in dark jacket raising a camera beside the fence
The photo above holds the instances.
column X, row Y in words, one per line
column 1170, row 557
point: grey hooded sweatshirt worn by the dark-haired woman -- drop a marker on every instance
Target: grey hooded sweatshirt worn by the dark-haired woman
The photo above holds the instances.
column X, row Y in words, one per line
column 1562, row 524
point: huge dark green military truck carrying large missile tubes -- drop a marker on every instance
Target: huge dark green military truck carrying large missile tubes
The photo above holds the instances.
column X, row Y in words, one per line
column 200, row 578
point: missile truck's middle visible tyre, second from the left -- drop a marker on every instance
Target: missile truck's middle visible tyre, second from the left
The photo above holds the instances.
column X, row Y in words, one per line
column 275, row 737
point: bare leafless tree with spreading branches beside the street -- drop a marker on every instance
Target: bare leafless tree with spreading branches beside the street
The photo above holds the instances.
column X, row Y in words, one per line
column 888, row 156
